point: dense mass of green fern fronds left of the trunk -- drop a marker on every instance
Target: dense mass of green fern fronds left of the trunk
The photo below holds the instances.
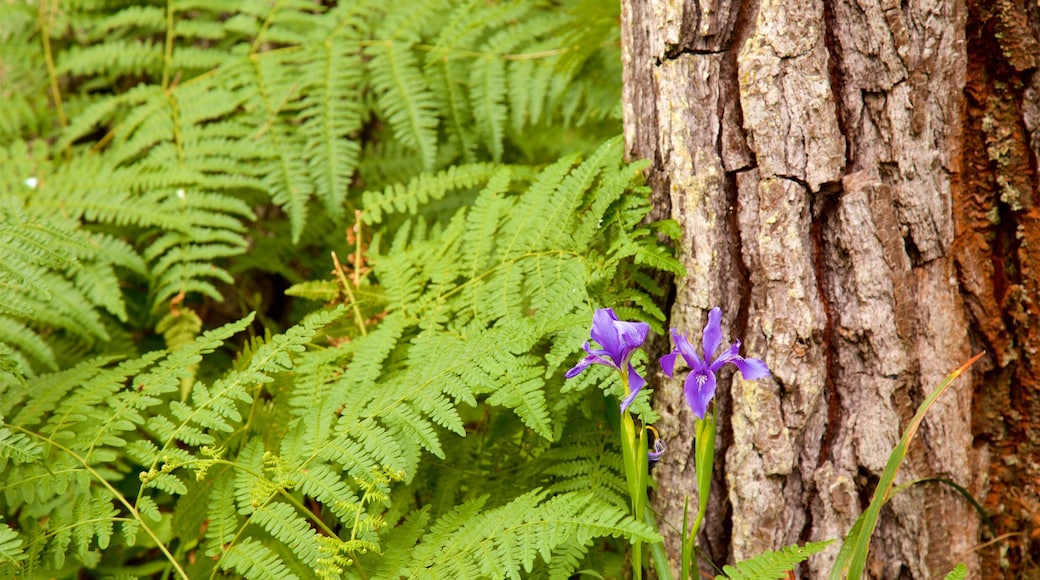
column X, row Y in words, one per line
column 169, row 170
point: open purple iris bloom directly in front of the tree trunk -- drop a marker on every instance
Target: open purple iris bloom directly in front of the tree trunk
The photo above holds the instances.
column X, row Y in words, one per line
column 700, row 384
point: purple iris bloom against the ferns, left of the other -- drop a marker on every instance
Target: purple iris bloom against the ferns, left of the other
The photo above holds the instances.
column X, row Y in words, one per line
column 620, row 340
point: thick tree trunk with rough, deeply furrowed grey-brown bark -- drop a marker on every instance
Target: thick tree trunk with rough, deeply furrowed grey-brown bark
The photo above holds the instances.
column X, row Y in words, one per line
column 856, row 184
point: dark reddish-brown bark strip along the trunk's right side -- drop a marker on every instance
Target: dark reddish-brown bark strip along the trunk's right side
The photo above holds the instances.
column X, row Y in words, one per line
column 998, row 256
